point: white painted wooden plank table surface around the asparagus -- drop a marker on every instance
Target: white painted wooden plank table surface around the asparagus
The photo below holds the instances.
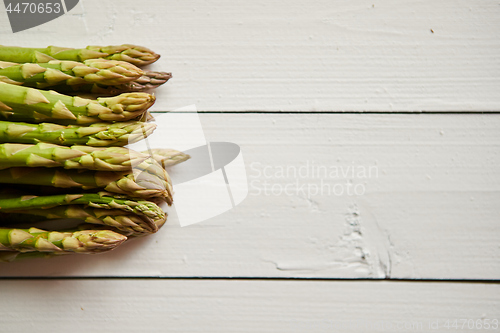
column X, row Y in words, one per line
column 408, row 90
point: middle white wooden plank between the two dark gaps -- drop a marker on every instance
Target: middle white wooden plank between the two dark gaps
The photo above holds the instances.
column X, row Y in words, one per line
column 429, row 210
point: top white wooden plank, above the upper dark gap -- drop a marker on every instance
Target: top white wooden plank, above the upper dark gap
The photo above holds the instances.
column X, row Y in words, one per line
column 300, row 55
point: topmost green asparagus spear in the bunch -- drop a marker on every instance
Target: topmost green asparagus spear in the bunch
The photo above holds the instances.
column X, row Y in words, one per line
column 133, row 54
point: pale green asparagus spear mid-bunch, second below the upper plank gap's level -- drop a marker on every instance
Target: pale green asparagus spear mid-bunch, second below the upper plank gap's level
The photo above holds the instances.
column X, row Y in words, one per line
column 74, row 157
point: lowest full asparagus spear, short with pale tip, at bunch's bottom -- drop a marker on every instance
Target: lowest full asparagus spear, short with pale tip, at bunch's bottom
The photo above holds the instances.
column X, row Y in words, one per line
column 37, row 240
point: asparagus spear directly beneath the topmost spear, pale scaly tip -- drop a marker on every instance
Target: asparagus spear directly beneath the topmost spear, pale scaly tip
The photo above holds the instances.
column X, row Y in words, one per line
column 101, row 71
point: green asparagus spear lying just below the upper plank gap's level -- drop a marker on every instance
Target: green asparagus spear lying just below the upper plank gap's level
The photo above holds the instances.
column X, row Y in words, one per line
column 97, row 135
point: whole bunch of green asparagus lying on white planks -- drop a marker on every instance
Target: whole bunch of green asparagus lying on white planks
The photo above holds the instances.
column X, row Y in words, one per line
column 62, row 155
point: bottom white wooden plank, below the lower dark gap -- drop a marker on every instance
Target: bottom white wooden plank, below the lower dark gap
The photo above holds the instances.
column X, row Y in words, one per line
column 246, row 306
